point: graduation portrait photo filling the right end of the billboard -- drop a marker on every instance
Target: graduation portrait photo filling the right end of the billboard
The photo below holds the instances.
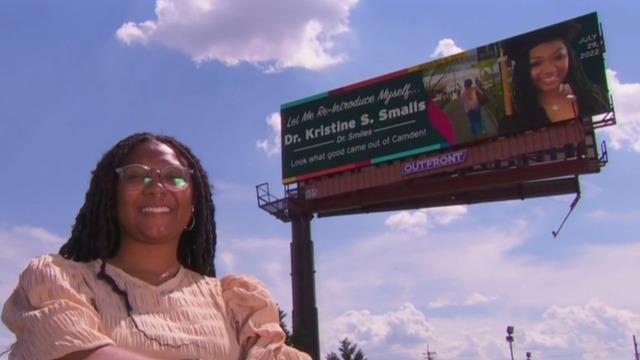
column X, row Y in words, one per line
column 556, row 74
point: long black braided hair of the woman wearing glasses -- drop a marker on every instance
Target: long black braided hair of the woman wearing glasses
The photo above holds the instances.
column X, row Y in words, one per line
column 96, row 233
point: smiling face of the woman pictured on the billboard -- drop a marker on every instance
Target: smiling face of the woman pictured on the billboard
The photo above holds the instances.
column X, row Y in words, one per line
column 549, row 63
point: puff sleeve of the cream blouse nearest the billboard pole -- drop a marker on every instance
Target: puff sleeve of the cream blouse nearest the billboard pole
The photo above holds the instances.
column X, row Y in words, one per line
column 255, row 317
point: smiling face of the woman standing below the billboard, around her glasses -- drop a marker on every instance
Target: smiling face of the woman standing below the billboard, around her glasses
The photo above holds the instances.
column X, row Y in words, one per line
column 152, row 213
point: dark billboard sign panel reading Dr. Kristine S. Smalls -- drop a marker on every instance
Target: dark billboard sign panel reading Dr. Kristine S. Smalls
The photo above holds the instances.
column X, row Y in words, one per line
column 525, row 82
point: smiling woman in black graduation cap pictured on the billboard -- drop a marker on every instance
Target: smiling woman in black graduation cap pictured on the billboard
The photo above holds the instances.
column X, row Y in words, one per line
column 549, row 82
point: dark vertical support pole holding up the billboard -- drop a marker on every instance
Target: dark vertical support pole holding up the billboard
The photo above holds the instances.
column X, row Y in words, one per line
column 305, row 312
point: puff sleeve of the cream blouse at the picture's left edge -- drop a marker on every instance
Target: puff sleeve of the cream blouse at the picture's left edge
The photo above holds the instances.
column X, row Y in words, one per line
column 51, row 311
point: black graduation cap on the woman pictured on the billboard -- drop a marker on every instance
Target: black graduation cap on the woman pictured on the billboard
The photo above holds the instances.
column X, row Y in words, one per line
column 520, row 45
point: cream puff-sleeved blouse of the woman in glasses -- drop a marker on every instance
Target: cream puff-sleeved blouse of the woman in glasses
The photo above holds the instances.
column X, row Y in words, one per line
column 60, row 306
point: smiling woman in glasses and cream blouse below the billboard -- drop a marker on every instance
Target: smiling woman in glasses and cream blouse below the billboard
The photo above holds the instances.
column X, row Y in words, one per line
column 136, row 279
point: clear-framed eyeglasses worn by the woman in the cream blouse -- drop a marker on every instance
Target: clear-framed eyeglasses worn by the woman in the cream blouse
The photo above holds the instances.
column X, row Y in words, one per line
column 138, row 176
